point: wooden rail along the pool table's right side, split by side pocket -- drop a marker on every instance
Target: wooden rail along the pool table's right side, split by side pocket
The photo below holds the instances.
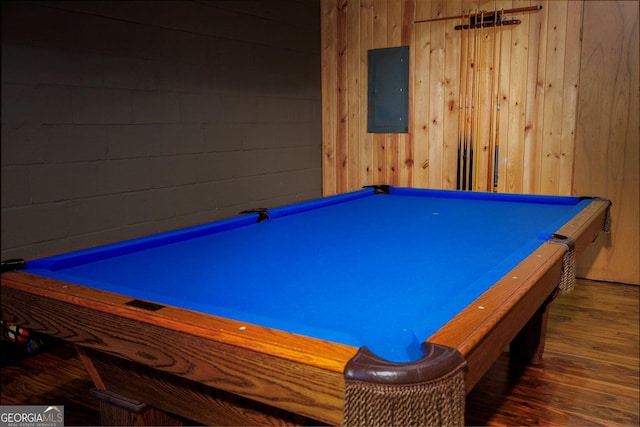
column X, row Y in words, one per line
column 487, row 326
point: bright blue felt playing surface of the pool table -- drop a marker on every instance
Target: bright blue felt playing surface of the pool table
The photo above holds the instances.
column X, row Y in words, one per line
column 385, row 271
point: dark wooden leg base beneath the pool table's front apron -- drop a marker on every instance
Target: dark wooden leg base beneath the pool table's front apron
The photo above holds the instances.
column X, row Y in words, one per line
column 130, row 393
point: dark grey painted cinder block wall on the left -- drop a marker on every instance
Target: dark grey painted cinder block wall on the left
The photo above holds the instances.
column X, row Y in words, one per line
column 121, row 119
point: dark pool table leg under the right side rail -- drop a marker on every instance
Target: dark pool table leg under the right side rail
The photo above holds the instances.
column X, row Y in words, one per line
column 528, row 346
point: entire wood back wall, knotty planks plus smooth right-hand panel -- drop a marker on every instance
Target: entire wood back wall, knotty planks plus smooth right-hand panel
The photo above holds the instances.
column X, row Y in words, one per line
column 547, row 110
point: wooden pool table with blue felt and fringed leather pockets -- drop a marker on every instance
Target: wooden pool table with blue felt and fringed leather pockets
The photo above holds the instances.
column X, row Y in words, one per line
column 349, row 309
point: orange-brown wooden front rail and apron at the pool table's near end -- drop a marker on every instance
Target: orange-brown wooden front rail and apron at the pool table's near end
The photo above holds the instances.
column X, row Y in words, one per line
column 304, row 377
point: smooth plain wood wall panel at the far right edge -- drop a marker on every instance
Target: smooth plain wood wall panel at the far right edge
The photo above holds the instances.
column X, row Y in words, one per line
column 608, row 135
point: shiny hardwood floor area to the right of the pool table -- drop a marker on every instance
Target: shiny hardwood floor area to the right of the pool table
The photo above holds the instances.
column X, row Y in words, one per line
column 589, row 371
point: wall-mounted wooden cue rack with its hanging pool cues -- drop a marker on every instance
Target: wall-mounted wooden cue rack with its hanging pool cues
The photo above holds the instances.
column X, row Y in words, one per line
column 475, row 130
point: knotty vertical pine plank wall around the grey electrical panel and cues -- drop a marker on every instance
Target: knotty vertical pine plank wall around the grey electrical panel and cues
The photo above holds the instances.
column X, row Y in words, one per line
column 536, row 80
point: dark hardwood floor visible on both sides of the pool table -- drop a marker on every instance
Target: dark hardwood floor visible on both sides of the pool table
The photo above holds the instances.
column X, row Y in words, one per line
column 588, row 375
